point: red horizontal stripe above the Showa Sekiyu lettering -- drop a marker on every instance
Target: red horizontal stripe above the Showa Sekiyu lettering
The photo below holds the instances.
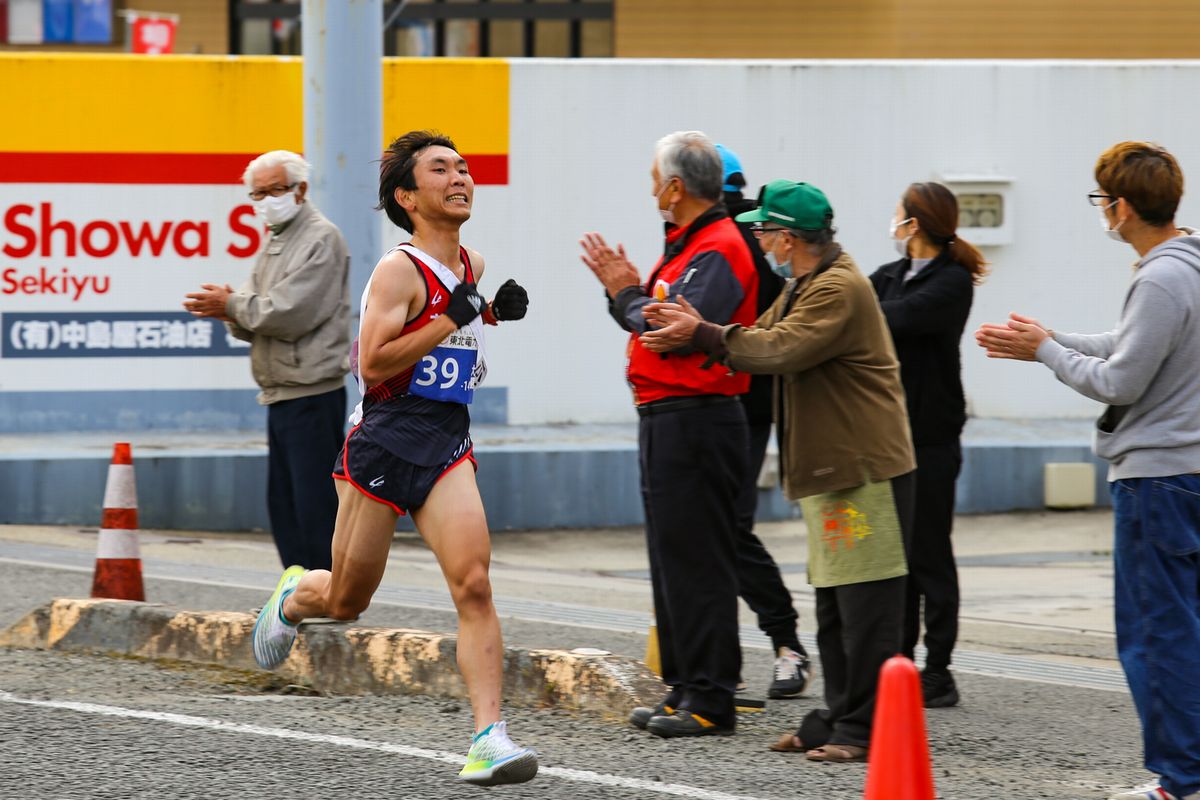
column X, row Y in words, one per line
column 171, row 169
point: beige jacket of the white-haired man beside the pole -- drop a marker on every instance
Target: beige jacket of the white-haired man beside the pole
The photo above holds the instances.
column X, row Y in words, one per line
column 296, row 310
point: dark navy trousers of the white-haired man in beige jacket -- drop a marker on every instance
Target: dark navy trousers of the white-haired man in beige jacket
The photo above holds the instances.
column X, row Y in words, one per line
column 304, row 437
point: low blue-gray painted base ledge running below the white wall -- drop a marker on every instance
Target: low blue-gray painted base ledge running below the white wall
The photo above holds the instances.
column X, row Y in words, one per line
column 521, row 489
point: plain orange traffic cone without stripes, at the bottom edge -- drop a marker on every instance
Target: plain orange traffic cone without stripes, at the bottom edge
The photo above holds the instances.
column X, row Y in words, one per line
column 899, row 767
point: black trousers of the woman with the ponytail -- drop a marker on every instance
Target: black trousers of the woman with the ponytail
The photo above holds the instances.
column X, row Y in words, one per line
column 933, row 575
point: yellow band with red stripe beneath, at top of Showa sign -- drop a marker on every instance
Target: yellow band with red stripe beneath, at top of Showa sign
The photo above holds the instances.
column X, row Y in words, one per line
column 211, row 112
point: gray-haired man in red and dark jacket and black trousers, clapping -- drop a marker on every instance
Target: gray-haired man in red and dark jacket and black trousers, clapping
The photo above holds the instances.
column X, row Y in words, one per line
column 692, row 437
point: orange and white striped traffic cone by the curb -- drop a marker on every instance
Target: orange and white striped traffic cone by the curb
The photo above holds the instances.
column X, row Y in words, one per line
column 118, row 561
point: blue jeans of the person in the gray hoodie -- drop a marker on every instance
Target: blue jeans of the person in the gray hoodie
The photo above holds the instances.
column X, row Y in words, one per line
column 1157, row 598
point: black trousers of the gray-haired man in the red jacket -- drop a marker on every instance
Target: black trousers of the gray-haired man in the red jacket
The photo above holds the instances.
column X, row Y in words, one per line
column 692, row 462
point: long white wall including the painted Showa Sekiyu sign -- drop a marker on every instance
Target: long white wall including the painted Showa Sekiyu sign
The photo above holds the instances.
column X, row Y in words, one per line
column 89, row 181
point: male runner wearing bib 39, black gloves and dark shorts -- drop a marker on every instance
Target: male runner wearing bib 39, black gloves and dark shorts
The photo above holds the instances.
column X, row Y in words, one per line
column 419, row 359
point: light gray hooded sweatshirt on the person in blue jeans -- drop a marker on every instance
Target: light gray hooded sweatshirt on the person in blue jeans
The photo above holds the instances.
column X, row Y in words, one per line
column 1148, row 370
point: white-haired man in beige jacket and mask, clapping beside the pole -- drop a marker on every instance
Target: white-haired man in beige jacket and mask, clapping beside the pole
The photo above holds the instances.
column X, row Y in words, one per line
column 295, row 311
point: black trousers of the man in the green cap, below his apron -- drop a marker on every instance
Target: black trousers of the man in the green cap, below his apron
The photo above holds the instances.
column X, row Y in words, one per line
column 859, row 629
